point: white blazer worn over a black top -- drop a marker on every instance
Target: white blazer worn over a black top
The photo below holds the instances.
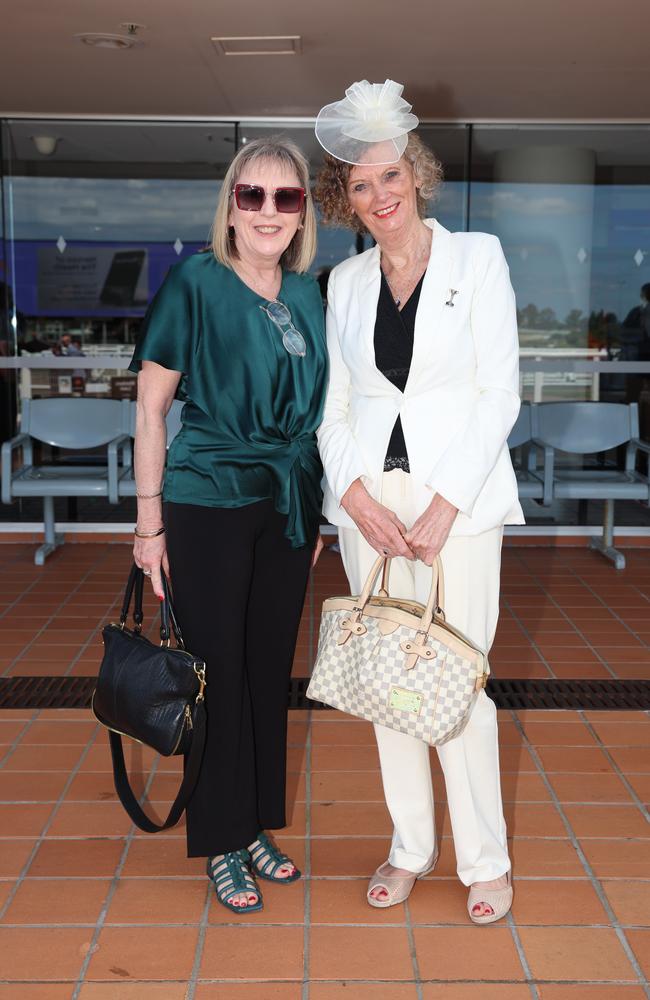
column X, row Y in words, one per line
column 462, row 394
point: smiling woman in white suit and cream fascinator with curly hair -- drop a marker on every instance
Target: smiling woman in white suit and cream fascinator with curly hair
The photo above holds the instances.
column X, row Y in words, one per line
column 422, row 338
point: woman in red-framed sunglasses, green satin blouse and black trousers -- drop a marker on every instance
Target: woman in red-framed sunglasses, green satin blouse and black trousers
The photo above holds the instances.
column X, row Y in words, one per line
column 238, row 334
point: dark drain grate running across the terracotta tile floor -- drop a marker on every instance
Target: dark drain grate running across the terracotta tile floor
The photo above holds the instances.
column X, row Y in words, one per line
column 593, row 695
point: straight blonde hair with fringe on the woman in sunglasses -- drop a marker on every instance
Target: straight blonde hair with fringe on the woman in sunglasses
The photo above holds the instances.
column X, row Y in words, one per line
column 301, row 251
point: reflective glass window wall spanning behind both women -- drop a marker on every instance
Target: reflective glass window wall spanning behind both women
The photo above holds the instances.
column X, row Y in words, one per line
column 94, row 214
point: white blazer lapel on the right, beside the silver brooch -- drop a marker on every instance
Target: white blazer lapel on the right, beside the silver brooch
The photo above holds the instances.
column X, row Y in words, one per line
column 434, row 294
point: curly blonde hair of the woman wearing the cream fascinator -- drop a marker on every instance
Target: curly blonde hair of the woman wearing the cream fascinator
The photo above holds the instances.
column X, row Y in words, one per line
column 331, row 190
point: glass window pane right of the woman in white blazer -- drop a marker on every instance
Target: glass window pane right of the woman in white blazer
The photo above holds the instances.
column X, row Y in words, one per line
column 571, row 206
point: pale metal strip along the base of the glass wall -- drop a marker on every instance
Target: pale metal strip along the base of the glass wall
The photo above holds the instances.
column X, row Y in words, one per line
column 525, row 530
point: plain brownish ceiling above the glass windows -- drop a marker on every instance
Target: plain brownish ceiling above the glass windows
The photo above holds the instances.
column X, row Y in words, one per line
column 460, row 60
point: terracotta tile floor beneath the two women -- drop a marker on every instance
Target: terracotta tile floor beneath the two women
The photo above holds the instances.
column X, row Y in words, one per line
column 92, row 909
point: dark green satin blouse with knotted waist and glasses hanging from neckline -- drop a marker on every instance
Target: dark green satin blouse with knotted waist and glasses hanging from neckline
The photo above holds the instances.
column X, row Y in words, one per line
column 251, row 409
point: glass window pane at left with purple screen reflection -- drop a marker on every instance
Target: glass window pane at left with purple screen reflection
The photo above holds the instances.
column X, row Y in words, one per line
column 96, row 223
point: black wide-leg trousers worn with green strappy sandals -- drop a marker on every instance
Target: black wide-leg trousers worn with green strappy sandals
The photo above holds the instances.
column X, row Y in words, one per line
column 238, row 591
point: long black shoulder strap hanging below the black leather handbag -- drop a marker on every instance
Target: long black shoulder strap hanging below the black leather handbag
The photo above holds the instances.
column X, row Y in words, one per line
column 192, row 766
